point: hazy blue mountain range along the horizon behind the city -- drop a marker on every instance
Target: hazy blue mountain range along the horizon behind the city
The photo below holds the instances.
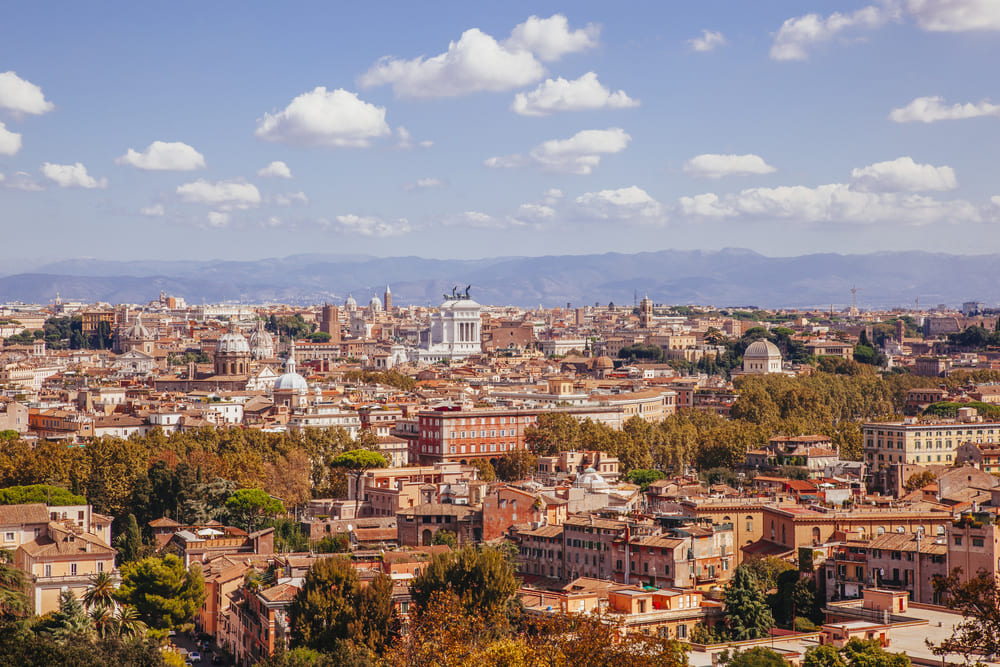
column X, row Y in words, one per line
column 730, row 277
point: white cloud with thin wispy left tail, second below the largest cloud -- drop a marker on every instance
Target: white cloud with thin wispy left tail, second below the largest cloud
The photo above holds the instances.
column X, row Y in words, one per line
column 579, row 154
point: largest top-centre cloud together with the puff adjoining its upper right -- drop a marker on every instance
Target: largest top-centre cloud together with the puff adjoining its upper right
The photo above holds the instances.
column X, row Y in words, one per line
column 478, row 62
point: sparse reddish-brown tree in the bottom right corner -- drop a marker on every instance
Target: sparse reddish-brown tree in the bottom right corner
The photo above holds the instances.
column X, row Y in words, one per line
column 978, row 601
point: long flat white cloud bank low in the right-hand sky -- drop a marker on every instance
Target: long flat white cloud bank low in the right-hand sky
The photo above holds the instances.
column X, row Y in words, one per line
column 836, row 202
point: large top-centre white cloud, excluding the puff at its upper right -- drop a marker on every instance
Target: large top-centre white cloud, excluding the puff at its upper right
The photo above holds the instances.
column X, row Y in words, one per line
column 476, row 62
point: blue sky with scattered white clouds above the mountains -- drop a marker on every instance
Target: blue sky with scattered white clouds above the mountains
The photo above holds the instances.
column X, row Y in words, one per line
column 201, row 130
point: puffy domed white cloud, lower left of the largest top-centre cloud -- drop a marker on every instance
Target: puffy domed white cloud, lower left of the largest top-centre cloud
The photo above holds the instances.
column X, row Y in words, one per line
column 336, row 118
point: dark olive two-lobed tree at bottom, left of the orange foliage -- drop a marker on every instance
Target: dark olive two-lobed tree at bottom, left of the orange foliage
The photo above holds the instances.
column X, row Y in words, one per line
column 333, row 608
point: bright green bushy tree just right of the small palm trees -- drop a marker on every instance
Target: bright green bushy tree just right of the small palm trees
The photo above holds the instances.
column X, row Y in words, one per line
column 164, row 593
